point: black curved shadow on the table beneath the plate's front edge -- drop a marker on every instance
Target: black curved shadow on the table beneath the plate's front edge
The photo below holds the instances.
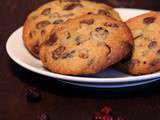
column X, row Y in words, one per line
column 54, row 86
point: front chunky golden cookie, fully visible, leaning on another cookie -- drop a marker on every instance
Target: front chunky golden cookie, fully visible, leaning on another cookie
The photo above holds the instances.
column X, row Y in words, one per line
column 86, row 45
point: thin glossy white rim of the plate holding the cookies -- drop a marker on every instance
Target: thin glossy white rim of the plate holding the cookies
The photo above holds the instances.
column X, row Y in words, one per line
column 78, row 78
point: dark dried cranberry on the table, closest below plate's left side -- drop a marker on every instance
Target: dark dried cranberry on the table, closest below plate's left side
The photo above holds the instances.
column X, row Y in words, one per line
column 33, row 95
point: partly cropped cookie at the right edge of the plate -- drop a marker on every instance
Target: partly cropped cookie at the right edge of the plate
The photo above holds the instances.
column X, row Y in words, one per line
column 145, row 58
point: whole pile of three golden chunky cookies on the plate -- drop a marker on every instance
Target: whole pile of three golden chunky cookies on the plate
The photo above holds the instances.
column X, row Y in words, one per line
column 78, row 37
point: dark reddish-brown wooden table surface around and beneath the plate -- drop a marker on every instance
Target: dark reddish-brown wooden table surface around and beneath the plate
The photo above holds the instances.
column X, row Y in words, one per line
column 61, row 101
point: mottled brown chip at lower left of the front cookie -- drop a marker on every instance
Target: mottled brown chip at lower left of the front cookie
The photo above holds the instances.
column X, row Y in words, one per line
column 58, row 52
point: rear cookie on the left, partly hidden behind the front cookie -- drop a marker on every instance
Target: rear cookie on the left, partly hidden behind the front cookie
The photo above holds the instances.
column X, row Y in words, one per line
column 39, row 23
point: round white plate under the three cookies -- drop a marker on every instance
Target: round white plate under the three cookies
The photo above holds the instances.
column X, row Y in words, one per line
column 21, row 56
